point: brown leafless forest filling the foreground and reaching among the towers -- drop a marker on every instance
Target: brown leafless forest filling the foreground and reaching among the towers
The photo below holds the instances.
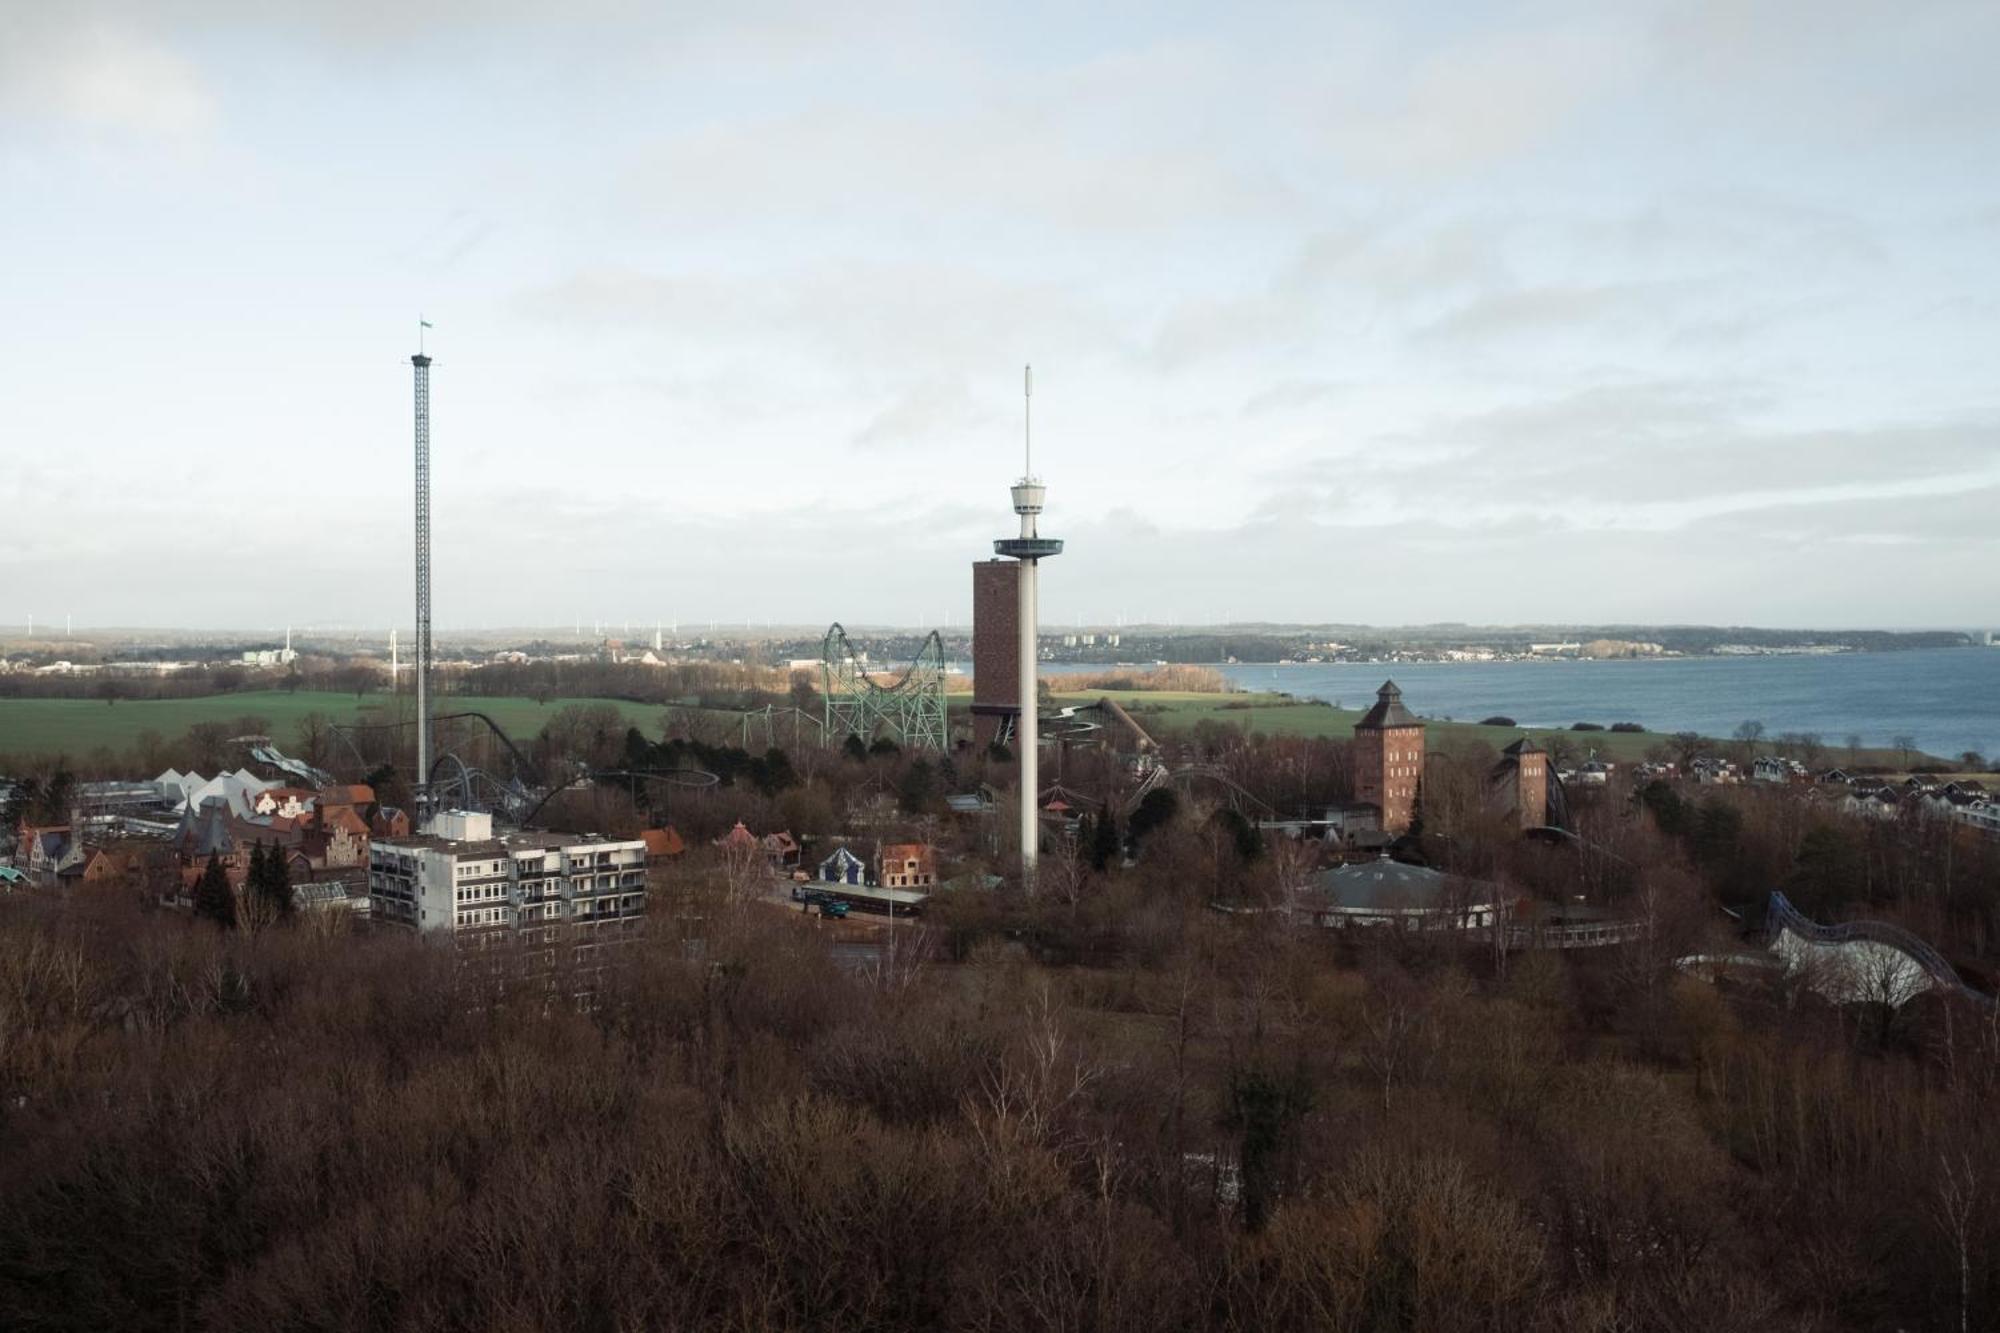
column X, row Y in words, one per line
column 1107, row 1108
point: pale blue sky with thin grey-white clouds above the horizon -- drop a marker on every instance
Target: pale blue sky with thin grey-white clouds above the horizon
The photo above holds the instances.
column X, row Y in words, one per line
column 1537, row 313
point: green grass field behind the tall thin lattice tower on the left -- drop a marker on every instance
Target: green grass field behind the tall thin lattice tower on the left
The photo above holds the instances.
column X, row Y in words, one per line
column 83, row 726
